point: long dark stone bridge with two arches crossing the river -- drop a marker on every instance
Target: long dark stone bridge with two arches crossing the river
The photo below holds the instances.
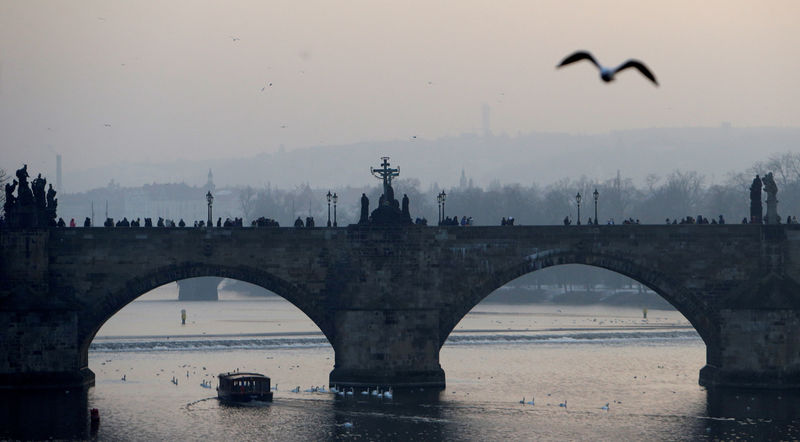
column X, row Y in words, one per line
column 387, row 298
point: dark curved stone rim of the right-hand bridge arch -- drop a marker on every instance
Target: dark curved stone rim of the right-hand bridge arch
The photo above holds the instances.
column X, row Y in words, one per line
column 686, row 301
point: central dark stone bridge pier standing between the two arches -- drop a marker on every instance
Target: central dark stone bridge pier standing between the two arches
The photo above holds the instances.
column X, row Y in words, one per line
column 387, row 348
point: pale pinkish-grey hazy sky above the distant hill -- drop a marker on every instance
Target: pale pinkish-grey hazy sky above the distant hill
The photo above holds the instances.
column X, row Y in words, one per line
column 108, row 81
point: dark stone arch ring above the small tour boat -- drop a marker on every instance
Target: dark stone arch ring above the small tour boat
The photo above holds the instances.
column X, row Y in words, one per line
column 113, row 300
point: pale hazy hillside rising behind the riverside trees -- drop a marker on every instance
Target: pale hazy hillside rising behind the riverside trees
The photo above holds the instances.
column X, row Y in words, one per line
column 525, row 158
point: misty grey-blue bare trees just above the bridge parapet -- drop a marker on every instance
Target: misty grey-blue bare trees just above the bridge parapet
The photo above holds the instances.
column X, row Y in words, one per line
column 675, row 195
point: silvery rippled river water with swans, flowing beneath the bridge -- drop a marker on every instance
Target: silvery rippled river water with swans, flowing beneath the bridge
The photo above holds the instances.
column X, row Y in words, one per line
column 582, row 357
